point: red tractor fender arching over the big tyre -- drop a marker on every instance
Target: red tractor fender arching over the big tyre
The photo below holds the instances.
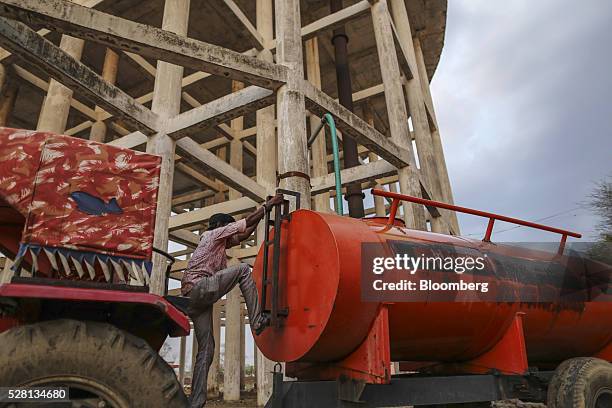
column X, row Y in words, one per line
column 148, row 316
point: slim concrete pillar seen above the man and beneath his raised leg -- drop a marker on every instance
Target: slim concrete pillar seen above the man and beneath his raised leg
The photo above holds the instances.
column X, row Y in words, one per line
column 233, row 317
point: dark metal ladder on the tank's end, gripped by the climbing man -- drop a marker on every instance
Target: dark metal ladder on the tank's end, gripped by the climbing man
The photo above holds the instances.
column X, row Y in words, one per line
column 281, row 213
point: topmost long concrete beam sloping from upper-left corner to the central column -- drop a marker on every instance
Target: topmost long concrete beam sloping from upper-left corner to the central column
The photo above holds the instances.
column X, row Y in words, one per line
column 69, row 18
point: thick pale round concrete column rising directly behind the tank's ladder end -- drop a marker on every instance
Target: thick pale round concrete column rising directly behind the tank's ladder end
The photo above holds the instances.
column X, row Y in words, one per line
column 290, row 107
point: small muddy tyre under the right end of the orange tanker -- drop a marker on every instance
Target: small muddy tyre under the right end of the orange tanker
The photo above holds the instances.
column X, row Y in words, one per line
column 583, row 382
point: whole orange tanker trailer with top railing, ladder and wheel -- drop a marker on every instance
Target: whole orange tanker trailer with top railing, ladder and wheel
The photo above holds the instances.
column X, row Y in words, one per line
column 528, row 324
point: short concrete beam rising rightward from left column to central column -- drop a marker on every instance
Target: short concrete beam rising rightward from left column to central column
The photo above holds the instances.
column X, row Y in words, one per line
column 220, row 110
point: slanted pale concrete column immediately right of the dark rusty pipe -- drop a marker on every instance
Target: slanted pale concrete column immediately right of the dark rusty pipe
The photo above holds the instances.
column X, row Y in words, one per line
column 414, row 215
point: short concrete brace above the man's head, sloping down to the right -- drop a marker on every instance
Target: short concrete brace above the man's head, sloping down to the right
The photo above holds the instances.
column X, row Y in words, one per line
column 190, row 149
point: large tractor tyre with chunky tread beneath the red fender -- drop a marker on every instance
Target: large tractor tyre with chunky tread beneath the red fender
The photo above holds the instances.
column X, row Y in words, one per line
column 101, row 365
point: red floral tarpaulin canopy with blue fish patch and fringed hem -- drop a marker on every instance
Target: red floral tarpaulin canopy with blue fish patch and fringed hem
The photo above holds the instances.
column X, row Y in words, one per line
column 83, row 201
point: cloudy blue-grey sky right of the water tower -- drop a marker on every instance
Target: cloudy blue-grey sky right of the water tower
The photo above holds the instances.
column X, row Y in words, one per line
column 523, row 100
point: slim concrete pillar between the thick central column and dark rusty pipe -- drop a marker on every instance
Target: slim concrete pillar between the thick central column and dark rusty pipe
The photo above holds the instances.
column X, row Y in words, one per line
column 318, row 150
